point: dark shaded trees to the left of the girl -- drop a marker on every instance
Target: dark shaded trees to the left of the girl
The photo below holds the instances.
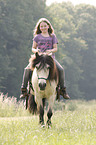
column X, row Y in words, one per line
column 17, row 21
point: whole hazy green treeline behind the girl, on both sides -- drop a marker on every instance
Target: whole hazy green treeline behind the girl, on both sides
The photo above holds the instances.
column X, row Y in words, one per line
column 75, row 28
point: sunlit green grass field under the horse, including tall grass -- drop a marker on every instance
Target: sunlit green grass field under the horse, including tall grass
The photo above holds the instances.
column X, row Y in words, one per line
column 74, row 124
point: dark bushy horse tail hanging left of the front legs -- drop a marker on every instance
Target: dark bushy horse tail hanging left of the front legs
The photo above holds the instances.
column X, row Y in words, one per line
column 32, row 106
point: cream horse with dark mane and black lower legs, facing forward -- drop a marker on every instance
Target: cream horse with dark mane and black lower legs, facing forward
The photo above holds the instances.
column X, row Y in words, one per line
column 44, row 83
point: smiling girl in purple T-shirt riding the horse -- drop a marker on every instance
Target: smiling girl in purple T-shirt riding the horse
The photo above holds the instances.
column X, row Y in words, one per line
column 44, row 41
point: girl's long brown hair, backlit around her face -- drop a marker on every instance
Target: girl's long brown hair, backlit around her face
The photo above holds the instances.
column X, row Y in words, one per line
column 37, row 27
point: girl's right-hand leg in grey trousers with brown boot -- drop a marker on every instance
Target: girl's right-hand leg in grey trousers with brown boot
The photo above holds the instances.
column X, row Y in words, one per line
column 62, row 80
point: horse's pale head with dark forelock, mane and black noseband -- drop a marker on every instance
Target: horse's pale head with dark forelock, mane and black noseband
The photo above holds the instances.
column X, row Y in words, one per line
column 45, row 69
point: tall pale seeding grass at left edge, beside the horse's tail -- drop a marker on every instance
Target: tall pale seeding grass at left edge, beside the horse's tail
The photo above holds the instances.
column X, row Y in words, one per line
column 9, row 107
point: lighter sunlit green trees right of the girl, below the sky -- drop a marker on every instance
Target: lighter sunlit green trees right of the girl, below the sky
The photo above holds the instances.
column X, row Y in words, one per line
column 75, row 30
